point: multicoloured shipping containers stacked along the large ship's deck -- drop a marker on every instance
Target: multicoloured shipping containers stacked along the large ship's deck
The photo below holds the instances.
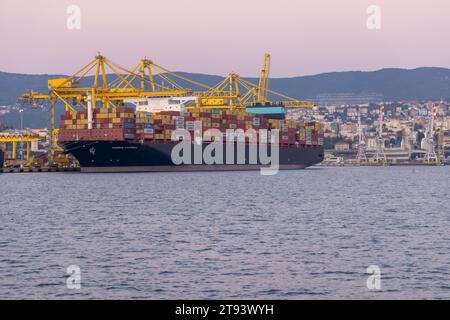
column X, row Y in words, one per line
column 118, row 124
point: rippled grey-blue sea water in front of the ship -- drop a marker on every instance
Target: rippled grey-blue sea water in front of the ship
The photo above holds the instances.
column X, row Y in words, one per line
column 298, row 235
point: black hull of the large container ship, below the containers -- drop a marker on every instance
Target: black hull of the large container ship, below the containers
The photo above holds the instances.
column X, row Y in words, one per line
column 124, row 156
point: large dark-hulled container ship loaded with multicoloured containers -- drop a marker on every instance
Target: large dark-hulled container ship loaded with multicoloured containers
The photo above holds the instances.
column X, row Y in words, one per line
column 136, row 139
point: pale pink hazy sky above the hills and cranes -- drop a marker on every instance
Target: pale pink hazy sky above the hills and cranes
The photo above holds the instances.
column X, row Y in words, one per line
column 209, row 36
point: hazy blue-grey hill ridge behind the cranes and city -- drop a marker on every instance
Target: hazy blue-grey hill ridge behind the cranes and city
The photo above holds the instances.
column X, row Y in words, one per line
column 336, row 87
